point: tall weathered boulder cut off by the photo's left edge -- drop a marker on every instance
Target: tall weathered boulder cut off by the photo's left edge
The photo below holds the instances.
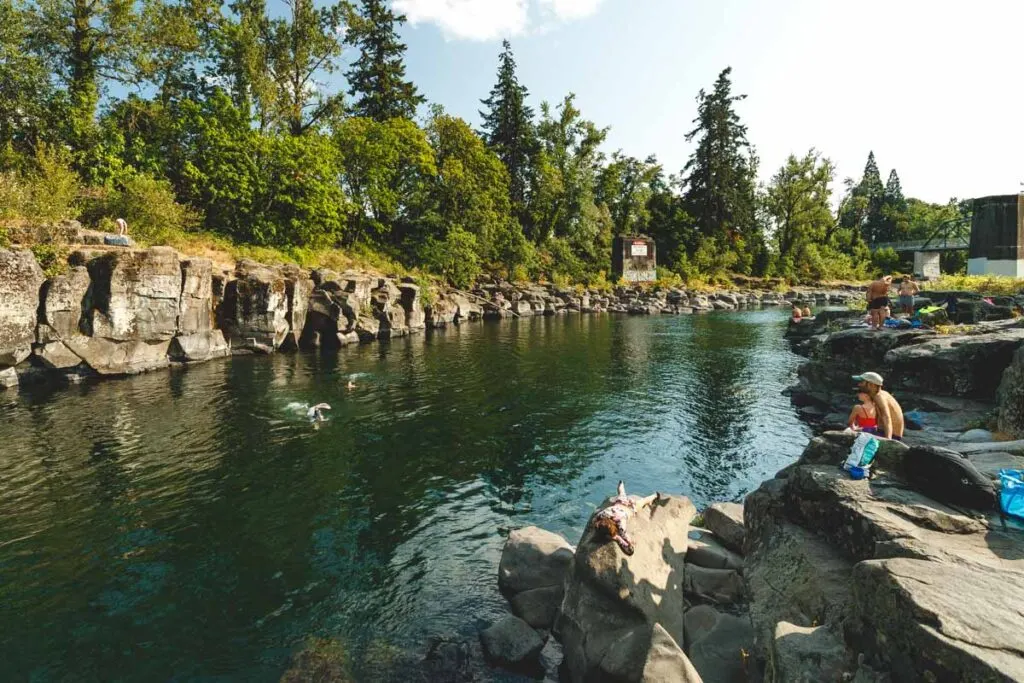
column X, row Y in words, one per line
column 21, row 280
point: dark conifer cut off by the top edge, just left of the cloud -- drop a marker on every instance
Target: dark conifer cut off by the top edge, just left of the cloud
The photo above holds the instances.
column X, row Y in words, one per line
column 378, row 76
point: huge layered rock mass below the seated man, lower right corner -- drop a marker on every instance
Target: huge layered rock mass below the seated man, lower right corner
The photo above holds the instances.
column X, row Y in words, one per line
column 872, row 576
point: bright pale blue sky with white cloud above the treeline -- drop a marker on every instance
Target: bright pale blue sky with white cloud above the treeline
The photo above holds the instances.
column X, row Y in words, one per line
column 935, row 90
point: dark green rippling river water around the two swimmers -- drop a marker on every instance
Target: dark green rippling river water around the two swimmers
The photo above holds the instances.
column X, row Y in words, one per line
column 187, row 526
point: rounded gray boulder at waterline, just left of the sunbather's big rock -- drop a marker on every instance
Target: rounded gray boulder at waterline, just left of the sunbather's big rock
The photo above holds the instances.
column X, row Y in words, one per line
column 534, row 559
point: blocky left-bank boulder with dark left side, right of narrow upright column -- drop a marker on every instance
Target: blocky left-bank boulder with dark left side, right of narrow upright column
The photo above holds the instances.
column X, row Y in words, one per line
column 255, row 309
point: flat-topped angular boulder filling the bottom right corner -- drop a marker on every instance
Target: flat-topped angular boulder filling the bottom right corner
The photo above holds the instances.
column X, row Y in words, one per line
column 944, row 621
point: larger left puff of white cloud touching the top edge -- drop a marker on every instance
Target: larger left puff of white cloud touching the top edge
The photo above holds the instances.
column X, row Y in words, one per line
column 472, row 20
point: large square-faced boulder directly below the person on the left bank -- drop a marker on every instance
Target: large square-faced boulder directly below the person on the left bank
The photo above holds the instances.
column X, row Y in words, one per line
column 136, row 297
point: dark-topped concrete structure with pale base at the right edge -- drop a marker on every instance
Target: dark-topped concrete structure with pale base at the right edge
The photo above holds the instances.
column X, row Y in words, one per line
column 998, row 237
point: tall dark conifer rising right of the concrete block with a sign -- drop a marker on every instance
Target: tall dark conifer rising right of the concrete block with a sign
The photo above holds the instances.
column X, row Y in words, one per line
column 720, row 176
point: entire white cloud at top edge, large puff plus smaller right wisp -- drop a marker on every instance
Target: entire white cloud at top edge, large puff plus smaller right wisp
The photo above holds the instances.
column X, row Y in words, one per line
column 488, row 20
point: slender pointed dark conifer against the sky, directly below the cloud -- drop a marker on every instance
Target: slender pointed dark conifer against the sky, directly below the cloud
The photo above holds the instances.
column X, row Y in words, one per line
column 509, row 132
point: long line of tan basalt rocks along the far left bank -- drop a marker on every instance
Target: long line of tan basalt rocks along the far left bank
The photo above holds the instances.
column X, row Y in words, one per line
column 121, row 311
